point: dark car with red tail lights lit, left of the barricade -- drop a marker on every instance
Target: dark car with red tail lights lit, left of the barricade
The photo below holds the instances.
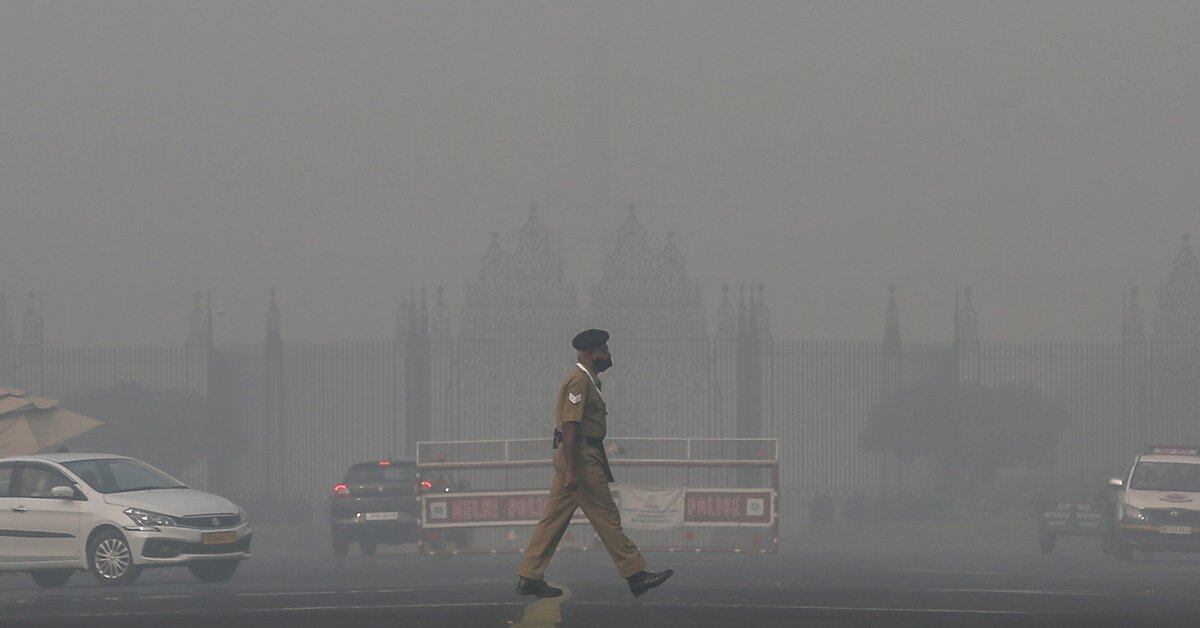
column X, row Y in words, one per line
column 376, row 504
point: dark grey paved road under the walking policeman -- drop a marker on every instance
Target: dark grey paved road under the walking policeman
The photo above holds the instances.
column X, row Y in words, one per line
column 783, row 590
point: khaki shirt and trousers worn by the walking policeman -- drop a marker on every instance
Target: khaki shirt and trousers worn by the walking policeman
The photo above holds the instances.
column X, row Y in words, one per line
column 579, row 400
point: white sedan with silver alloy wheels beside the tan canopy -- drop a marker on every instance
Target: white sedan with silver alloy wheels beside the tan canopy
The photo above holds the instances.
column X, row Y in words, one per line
column 112, row 516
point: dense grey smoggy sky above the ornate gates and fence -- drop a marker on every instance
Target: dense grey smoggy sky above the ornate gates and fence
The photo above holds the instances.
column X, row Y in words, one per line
column 1045, row 153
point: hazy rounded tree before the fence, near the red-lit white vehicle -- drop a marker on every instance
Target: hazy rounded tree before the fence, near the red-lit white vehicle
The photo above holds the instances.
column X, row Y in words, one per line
column 971, row 433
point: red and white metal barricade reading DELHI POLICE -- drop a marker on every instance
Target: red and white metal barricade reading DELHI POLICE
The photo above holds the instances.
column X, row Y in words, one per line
column 675, row 495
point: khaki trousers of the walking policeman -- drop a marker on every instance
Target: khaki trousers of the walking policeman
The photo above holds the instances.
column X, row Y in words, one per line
column 593, row 497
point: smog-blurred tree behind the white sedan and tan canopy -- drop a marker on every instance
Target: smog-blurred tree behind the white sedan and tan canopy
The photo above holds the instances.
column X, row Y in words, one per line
column 169, row 429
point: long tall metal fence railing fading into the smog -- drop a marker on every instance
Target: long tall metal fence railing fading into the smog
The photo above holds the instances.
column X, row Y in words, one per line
column 346, row 403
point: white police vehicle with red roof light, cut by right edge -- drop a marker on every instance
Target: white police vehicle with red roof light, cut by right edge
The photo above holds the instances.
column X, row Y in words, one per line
column 1160, row 503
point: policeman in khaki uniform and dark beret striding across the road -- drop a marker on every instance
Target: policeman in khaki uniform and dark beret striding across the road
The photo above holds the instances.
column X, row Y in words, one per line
column 583, row 477
